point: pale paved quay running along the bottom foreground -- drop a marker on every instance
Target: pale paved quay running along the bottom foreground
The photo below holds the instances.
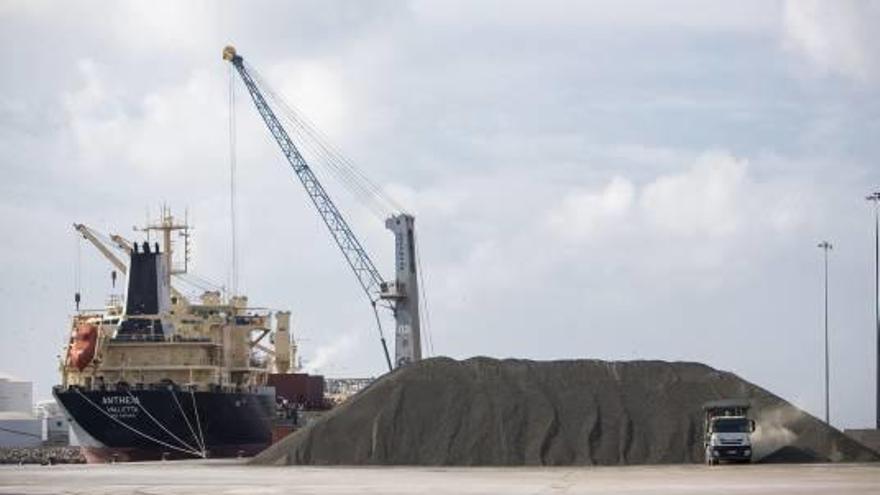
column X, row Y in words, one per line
column 232, row 477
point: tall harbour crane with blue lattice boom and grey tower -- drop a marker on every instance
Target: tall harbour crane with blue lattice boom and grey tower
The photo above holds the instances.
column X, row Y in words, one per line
column 402, row 294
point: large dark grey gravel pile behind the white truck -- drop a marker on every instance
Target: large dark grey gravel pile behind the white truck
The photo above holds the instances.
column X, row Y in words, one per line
column 515, row 412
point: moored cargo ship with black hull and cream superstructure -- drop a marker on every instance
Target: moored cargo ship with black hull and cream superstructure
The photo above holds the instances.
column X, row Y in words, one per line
column 158, row 374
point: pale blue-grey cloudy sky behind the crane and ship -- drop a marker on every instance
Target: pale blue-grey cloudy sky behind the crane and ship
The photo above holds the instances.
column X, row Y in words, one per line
column 609, row 180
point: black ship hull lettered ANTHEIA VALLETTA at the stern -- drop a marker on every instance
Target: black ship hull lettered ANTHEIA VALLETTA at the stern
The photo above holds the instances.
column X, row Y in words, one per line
column 168, row 423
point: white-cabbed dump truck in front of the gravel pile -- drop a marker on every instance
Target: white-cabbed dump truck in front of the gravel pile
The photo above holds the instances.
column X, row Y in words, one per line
column 727, row 431
